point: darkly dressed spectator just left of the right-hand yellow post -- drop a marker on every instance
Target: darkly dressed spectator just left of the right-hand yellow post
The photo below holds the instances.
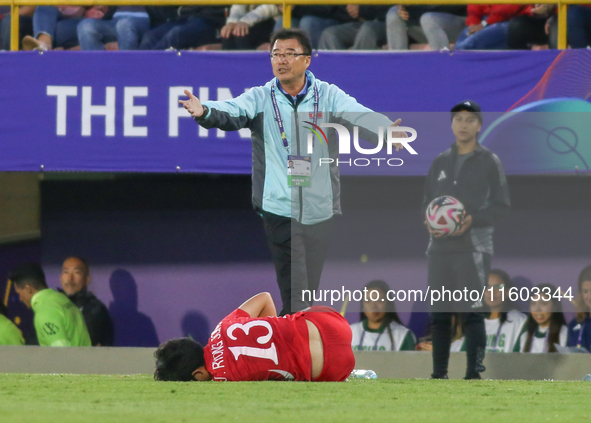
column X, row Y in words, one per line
column 531, row 29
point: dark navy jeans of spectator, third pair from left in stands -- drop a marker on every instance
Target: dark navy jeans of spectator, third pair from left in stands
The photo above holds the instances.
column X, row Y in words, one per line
column 180, row 34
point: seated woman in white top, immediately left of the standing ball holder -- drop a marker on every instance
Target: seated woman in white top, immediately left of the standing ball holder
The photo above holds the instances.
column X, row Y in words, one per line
column 380, row 328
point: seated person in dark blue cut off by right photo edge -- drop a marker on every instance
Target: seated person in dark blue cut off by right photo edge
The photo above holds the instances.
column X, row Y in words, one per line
column 579, row 329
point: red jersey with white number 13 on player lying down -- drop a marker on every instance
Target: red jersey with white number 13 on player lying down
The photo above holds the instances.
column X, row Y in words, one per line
column 243, row 348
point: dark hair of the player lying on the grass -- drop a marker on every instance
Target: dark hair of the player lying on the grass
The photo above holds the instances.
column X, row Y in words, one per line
column 177, row 359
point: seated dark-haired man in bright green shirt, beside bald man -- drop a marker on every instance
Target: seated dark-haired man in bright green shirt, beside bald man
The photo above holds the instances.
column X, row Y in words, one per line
column 57, row 321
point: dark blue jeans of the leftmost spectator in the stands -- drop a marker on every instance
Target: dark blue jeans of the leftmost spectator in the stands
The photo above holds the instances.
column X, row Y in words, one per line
column 62, row 30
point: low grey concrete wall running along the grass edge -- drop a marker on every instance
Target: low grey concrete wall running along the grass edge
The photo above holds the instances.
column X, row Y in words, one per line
column 399, row 365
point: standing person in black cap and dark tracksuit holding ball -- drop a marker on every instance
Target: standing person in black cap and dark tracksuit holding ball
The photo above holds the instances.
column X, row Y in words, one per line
column 474, row 176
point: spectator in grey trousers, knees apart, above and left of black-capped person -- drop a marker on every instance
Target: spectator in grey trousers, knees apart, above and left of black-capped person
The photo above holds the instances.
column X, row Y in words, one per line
column 442, row 24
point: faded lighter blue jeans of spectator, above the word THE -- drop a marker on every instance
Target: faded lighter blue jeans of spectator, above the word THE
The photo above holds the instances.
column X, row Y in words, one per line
column 93, row 34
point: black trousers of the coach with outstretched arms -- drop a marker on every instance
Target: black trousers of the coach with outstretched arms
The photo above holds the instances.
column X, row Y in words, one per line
column 298, row 253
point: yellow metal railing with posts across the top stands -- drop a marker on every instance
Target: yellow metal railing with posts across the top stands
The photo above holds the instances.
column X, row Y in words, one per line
column 15, row 4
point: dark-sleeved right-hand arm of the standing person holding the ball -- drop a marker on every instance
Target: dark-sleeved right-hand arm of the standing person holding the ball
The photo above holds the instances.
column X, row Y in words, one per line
column 499, row 200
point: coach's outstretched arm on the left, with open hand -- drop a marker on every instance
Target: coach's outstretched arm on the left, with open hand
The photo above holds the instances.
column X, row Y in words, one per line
column 228, row 115
